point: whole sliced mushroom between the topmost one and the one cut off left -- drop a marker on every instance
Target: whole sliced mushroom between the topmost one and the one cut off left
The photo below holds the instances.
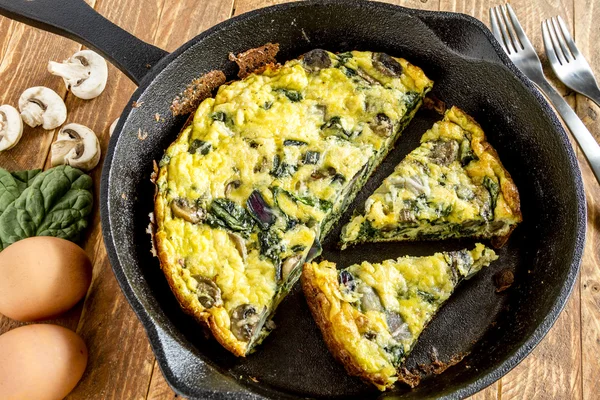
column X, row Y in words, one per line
column 42, row 106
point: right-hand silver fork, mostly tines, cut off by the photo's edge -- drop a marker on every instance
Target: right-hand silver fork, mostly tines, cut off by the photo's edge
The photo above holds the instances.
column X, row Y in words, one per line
column 567, row 62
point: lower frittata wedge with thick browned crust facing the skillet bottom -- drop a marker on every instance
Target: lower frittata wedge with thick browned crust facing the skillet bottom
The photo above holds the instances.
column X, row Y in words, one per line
column 371, row 315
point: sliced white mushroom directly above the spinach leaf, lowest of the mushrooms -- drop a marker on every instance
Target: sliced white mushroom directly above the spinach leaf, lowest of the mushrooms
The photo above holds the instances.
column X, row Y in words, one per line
column 77, row 146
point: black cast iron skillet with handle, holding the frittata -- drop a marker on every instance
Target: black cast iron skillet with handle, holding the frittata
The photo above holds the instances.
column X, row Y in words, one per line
column 470, row 70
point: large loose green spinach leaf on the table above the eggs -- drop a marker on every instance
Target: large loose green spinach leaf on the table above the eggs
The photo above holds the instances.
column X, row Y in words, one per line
column 55, row 203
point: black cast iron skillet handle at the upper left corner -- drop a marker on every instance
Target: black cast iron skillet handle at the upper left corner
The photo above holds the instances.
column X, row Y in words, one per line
column 76, row 20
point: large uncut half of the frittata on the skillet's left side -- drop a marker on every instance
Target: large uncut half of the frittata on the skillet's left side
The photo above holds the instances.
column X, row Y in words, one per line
column 263, row 171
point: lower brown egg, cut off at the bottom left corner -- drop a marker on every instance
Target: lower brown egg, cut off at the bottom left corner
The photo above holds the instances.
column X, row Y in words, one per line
column 42, row 362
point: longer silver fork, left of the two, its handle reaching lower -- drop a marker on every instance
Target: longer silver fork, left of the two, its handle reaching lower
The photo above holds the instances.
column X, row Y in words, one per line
column 510, row 34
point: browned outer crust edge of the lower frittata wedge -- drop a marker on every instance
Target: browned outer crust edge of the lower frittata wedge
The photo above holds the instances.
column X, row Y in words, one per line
column 319, row 307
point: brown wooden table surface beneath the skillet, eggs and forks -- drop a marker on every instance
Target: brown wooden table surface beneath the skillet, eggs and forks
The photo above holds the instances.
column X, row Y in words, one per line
column 121, row 365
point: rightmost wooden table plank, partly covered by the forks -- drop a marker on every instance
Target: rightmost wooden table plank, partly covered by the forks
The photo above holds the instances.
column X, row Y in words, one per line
column 586, row 35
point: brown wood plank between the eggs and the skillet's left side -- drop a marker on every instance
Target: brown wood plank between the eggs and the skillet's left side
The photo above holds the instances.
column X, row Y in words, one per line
column 120, row 359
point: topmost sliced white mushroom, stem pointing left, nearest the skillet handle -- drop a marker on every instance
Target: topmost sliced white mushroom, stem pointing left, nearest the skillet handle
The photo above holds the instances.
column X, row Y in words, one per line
column 85, row 73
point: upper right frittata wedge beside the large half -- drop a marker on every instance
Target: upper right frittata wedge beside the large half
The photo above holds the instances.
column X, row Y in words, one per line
column 452, row 186
